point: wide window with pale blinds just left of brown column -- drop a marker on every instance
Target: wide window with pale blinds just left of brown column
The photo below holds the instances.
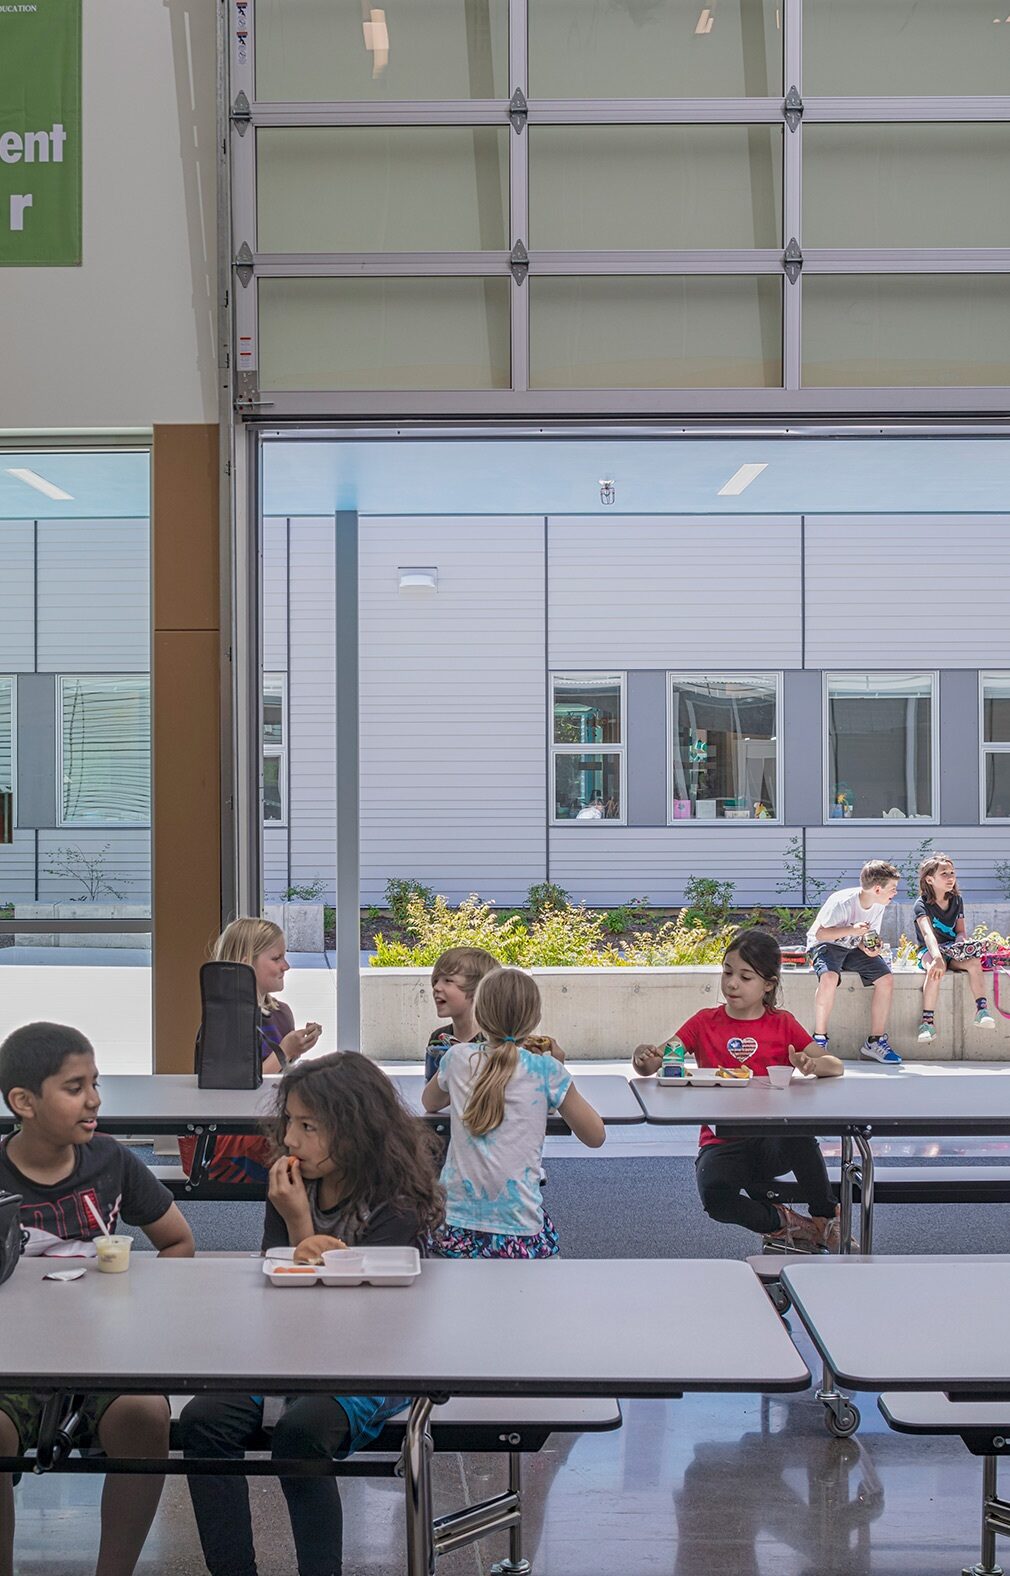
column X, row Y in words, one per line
column 106, row 751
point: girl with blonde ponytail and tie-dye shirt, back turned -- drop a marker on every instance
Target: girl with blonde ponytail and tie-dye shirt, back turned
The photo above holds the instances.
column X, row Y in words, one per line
column 502, row 1095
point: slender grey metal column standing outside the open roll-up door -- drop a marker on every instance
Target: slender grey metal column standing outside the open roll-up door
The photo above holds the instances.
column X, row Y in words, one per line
column 347, row 782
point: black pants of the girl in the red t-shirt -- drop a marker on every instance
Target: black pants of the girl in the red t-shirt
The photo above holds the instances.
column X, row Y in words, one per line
column 733, row 1178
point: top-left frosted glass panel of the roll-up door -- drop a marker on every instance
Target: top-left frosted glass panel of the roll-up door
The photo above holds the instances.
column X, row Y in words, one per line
column 407, row 50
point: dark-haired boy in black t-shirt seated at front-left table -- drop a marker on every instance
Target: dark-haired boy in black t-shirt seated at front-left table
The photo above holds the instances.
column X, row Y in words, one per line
column 56, row 1162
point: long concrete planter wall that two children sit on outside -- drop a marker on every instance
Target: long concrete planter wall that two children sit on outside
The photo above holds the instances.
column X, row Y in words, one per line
column 603, row 1014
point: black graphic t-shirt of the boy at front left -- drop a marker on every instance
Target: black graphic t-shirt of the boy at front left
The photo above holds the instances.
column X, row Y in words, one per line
column 56, row 1217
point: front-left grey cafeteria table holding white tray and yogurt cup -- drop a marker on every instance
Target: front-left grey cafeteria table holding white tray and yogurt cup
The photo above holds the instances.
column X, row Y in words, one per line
column 169, row 1326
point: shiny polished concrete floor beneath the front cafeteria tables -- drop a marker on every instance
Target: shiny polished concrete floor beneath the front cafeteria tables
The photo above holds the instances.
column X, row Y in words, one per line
column 697, row 1487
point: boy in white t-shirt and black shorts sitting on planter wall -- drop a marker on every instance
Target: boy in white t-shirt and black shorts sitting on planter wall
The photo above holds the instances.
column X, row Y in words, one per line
column 845, row 939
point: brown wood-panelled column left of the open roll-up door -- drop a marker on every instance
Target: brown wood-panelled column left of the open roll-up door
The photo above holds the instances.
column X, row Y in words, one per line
column 187, row 732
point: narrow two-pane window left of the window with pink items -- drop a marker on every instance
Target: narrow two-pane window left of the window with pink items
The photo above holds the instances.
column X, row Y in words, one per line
column 589, row 746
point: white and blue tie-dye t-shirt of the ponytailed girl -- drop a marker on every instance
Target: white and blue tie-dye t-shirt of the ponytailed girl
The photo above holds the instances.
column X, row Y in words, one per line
column 494, row 1183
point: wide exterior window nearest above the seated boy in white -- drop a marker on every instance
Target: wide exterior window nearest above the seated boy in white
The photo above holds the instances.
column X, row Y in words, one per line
column 882, row 746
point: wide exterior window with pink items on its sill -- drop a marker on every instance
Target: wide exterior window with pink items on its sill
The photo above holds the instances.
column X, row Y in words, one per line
column 724, row 734
